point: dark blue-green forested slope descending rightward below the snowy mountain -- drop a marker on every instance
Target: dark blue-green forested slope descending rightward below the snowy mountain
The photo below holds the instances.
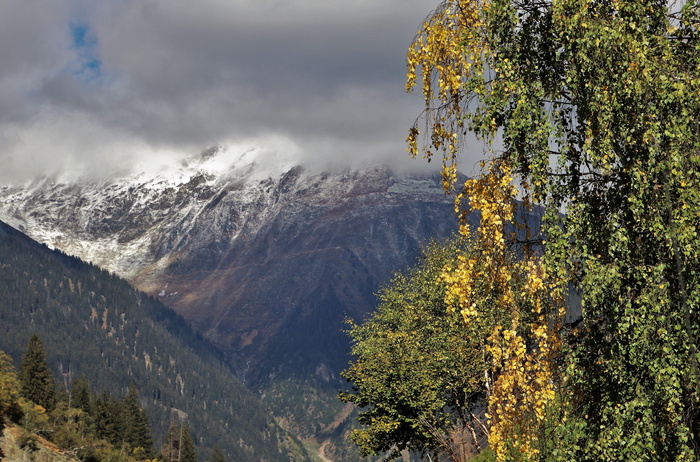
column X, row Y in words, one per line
column 94, row 323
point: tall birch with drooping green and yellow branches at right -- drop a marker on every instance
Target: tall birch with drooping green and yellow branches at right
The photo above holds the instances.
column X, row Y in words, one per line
column 591, row 108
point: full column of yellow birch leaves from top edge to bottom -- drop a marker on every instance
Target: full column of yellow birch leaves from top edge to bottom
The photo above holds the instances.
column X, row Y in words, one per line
column 449, row 50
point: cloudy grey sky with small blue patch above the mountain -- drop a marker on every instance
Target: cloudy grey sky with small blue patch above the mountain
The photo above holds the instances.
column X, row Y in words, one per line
column 102, row 84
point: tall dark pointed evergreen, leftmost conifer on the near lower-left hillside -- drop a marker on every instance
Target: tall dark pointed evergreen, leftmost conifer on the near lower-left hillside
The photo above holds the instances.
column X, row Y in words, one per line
column 36, row 379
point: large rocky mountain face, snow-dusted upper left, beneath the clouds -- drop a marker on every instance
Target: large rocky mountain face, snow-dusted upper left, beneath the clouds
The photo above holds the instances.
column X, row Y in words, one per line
column 265, row 263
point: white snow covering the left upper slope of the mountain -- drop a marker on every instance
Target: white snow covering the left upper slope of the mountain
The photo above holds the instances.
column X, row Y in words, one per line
column 118, row 223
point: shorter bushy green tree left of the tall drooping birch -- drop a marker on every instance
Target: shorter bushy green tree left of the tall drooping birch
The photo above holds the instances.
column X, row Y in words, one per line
column 418, row 374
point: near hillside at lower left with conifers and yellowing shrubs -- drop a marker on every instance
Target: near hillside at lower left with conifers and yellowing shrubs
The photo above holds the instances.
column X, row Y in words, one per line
column 42, row 422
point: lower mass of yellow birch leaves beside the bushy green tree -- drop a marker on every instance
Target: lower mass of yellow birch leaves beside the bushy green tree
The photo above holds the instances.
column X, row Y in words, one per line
column 495, row 280
